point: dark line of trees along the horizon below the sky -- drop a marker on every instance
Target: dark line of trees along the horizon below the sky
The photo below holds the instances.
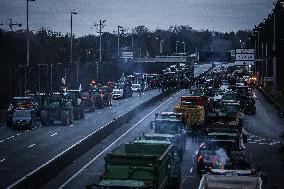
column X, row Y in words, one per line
column 50, row 47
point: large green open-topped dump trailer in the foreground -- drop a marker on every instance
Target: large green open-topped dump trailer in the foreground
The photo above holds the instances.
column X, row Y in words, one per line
column 138, row 165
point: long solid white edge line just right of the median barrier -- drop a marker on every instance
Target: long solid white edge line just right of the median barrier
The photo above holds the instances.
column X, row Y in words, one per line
column 112, row 144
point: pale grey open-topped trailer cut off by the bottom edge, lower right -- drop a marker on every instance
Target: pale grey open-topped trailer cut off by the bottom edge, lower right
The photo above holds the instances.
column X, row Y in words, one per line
column 224, row 179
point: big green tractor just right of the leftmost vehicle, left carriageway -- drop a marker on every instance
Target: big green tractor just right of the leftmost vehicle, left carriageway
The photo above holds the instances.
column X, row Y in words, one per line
column 57, row 108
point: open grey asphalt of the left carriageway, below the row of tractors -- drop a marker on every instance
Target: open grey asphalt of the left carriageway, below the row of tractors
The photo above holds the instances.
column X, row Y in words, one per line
column 24, row 150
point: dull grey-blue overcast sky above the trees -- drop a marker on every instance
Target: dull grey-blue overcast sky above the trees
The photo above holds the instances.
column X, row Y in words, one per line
column 218, row 15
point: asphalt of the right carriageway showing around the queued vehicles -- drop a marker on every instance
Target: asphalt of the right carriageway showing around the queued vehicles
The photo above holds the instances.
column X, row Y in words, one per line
column 263, row 147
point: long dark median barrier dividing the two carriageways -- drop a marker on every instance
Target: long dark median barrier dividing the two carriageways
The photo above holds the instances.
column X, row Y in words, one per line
column 50, row 169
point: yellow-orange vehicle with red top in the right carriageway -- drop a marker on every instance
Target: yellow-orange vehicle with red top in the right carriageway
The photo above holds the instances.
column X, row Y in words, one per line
column 192, row 108
